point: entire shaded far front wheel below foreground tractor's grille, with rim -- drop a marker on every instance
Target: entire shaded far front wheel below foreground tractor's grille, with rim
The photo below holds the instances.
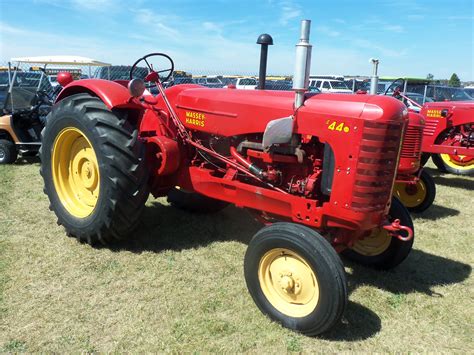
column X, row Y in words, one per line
column 380, row 250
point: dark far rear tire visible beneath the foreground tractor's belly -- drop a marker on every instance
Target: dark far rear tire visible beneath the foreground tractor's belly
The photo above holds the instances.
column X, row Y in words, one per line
column 194, row 202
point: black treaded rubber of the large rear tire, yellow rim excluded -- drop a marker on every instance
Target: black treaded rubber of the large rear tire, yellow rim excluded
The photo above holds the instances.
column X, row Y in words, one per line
column 123, row 171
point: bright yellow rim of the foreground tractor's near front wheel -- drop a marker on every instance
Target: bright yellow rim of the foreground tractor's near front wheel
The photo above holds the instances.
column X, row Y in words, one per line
column 288, row 282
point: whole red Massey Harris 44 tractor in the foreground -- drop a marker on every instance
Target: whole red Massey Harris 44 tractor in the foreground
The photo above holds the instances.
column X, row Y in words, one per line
column 317, row 169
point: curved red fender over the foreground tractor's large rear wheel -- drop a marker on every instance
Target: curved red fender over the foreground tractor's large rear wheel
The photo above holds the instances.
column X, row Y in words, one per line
column 113, row 94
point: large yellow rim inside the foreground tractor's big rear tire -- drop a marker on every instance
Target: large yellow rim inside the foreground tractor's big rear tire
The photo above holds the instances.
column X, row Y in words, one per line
column 75, row 172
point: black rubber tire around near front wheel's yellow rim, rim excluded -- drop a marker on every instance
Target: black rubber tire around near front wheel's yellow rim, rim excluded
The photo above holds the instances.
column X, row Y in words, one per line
column 321, row 257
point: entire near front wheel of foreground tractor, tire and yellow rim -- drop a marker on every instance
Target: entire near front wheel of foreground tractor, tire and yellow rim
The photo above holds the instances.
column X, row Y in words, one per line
column 295, row 277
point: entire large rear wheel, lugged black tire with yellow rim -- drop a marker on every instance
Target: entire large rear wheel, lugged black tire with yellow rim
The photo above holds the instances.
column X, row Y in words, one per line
column 94, row 170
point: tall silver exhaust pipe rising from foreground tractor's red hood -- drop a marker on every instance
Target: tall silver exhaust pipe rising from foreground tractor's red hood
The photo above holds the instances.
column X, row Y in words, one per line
column 303, row 64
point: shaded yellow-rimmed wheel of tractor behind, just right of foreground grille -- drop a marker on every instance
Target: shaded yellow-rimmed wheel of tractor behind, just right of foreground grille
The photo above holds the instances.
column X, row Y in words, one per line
column 419, row 196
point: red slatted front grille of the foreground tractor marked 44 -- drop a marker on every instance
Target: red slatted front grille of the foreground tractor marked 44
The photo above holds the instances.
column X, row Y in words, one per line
column 378, row 159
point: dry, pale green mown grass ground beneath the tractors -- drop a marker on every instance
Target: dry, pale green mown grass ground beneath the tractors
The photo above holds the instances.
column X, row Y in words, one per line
column 179, row 286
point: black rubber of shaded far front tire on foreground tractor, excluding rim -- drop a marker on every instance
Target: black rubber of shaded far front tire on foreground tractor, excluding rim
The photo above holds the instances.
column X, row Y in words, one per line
column 397, row 250
